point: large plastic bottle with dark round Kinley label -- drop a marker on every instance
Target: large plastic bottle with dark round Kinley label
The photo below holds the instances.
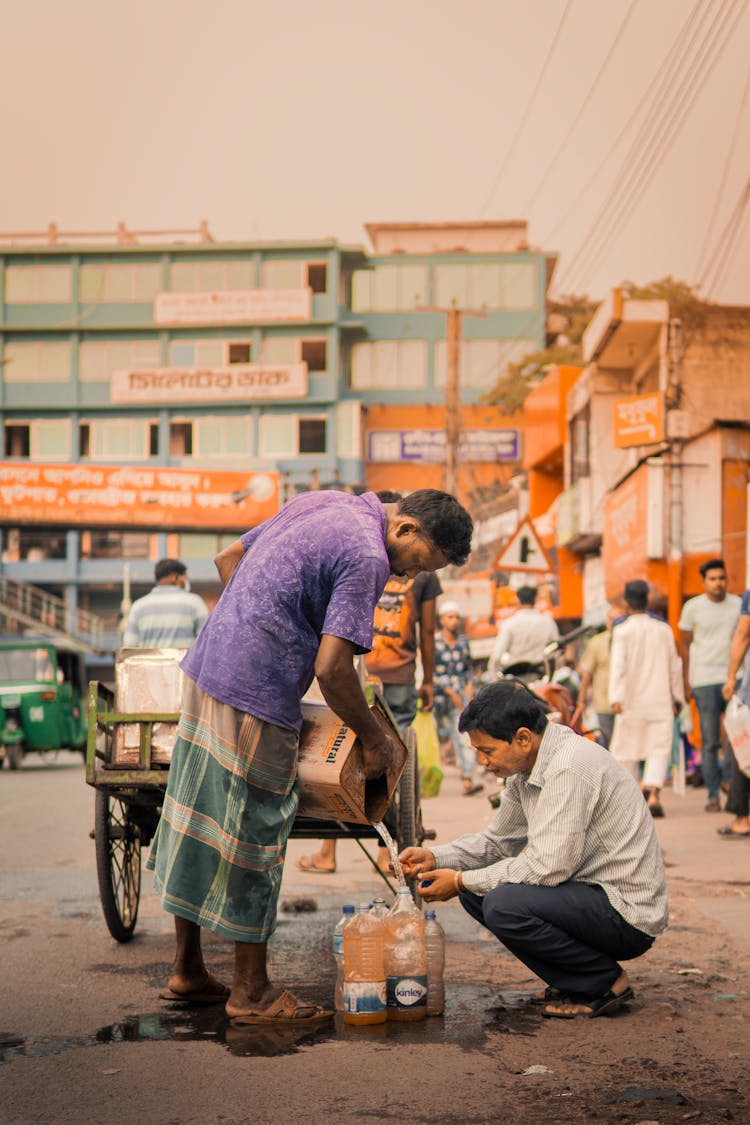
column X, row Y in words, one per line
column 406, row 959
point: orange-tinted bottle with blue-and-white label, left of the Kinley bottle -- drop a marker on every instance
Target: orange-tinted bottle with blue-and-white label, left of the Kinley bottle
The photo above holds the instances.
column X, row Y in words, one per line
column 365, row 974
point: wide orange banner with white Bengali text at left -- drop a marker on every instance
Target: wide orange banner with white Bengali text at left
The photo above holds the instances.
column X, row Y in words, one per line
column 88, row 496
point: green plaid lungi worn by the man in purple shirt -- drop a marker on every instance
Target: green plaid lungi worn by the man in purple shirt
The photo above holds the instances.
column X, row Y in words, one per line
column 230, row 805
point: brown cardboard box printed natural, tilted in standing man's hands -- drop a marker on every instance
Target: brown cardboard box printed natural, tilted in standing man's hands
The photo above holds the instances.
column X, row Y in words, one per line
column 332, row 784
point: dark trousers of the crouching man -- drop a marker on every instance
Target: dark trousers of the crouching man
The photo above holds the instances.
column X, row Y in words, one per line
column 570, row 935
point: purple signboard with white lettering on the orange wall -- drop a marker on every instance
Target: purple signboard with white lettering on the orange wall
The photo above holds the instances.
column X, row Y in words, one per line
column 429, row 446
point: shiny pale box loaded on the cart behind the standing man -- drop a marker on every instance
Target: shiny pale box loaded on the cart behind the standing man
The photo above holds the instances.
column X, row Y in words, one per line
column 147, row 681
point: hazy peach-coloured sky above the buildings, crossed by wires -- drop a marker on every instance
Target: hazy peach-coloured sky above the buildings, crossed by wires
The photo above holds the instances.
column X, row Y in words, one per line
column 291, row 120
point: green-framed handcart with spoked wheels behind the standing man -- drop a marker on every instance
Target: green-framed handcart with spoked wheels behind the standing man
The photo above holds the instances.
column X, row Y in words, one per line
column 129, row 802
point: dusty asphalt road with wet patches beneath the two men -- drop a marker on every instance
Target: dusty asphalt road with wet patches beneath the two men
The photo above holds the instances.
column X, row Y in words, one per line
column 85, row 1039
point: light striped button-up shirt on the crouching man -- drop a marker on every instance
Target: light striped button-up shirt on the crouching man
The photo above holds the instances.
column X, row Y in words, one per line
column 577, row 817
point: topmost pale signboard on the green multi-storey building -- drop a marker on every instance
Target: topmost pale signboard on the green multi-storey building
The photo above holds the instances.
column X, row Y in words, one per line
column 233, row 307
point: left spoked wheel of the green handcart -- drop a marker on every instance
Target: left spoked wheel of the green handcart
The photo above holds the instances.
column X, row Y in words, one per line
column 119, row 866
